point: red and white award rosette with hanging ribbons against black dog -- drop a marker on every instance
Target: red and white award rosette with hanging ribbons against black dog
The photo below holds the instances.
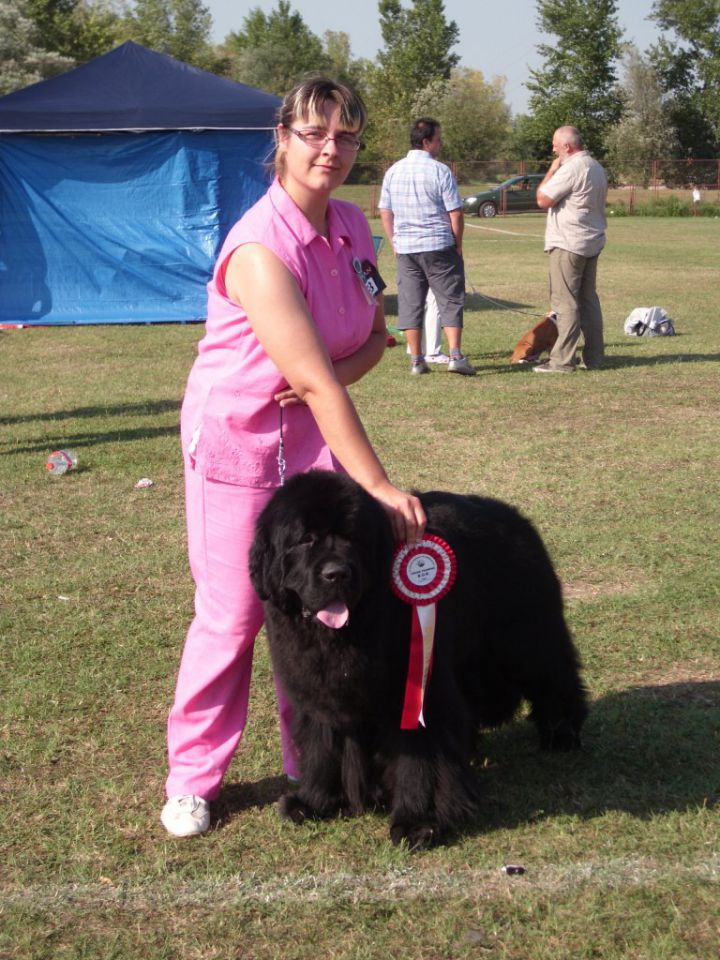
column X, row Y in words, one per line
column 422, row 573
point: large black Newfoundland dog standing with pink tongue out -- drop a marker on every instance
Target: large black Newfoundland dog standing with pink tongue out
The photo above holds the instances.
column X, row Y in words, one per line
column 339, row 640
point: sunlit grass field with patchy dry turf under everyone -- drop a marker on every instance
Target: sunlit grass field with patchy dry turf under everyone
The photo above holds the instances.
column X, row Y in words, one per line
column 619, row 471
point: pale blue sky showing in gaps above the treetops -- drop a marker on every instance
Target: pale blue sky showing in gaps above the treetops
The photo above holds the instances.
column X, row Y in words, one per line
column 498, row 38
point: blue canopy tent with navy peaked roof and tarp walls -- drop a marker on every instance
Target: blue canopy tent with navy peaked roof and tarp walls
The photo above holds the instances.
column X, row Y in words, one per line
column 118, row 182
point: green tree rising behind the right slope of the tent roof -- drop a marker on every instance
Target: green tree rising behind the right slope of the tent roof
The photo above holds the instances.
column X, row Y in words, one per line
column 180, row 28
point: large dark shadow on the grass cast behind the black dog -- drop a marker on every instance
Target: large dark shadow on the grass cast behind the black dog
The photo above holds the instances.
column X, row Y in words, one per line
column 646, row 751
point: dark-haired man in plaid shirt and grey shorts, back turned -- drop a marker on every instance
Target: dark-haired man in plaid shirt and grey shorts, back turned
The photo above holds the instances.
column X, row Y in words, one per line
column 421, row 213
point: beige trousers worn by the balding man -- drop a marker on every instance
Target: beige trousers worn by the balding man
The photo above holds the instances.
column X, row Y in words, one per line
column 574, row 299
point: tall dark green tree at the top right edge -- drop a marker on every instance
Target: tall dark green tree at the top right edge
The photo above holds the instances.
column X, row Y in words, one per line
column 690, row 71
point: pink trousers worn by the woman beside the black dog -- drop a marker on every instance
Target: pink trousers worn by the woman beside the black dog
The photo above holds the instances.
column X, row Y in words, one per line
column 211, row 697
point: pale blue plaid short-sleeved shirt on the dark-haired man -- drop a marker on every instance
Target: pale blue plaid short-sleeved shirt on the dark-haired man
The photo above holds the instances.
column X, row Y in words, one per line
column 420, row 191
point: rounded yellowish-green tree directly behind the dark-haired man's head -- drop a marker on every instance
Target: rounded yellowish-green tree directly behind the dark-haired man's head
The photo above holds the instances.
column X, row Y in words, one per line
column 474, row 115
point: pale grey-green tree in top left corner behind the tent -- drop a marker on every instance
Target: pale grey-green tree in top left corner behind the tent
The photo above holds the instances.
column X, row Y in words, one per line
column 23, row 60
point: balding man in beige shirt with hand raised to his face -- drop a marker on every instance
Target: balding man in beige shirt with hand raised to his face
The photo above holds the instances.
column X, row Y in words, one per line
column 574, row 192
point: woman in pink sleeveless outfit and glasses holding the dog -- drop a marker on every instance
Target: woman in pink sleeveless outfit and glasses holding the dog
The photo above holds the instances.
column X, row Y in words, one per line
column 290, row 324
